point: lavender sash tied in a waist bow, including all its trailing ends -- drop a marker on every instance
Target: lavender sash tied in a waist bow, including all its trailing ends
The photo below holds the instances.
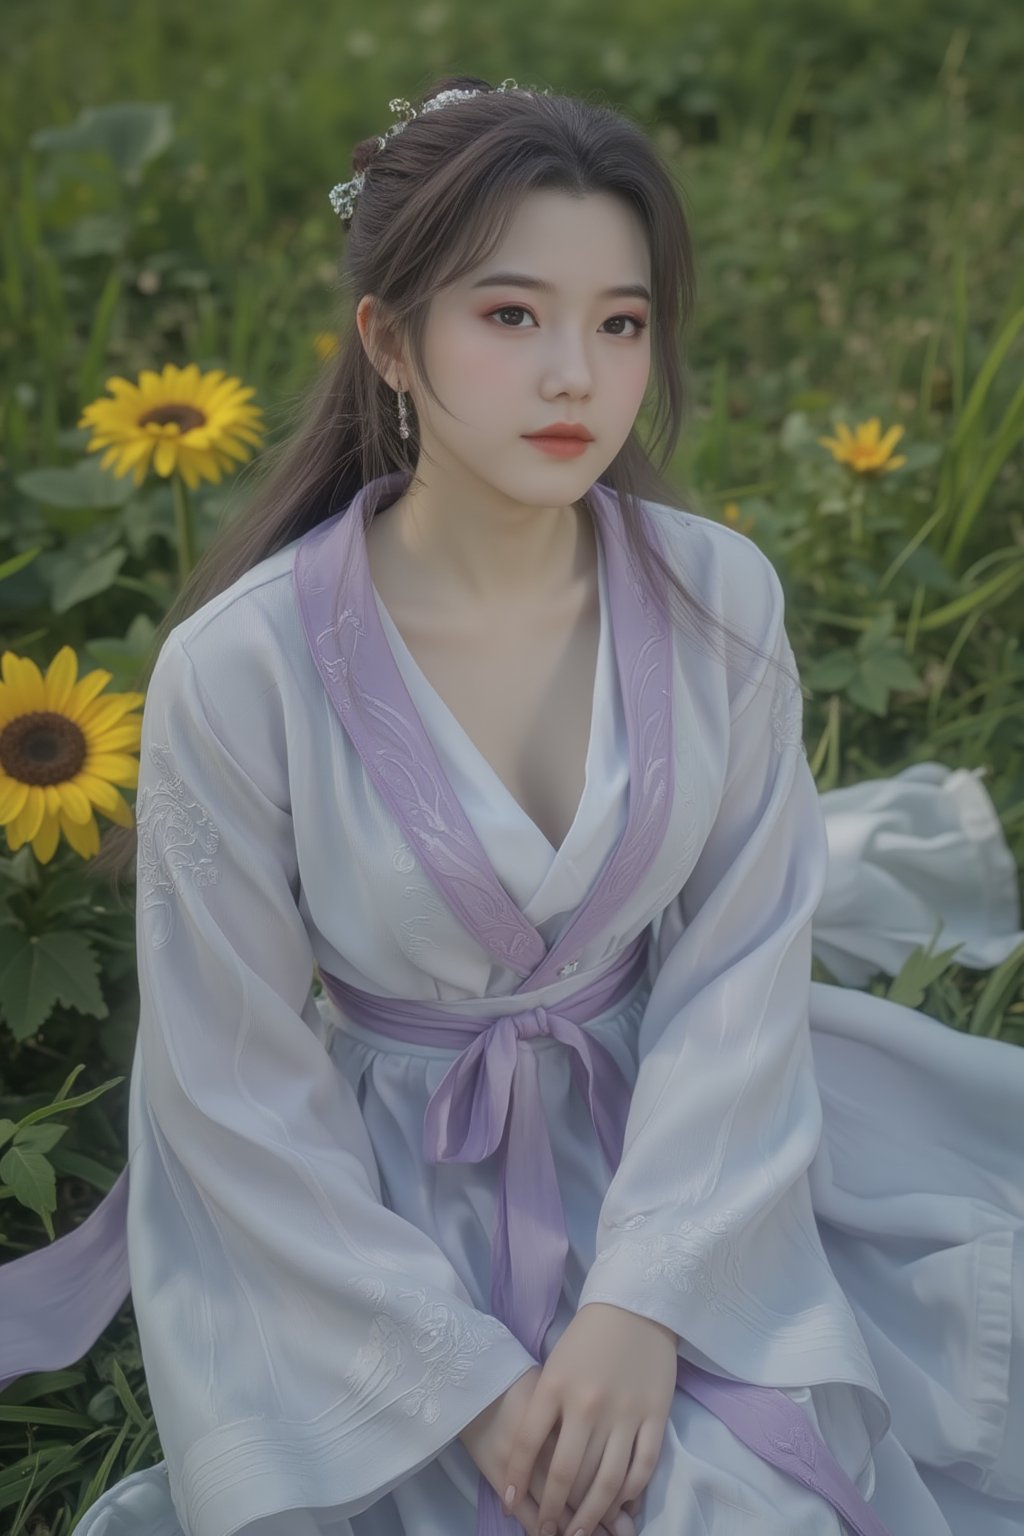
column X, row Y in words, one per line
column 56, row 1302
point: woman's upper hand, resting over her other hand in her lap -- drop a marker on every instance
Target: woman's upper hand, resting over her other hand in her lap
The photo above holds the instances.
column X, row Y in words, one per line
column 610, row 1380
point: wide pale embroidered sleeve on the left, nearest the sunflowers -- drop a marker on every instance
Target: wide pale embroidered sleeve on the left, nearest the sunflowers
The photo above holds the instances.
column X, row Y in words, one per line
column 305, row 1346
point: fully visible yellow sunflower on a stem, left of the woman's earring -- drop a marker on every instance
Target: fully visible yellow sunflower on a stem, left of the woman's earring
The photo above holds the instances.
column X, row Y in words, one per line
column 180, row 420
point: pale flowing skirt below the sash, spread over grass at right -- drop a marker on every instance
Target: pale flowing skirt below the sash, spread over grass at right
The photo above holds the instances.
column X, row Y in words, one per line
column 917, row 1190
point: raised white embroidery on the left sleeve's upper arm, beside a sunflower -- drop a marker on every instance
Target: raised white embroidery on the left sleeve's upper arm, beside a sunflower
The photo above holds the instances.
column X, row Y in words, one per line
column 177, row 842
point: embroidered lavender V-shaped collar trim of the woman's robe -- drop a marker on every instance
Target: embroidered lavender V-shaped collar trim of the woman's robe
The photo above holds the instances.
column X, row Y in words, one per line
column 363, row 681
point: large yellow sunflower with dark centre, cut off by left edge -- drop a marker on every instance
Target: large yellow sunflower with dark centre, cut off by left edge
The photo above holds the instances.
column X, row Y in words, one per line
column 62, row 750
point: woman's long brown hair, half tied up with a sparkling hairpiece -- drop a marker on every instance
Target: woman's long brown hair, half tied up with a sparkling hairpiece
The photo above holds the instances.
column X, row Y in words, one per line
column 435, row 205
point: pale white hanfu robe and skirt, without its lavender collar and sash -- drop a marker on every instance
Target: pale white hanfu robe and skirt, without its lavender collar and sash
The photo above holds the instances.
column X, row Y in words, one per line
column 821, row 1191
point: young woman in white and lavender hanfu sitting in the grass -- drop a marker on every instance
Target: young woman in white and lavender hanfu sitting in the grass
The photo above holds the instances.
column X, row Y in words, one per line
column 570, row 1180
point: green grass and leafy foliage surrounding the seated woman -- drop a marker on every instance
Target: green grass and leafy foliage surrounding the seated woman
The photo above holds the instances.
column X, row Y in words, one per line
column 853, row 180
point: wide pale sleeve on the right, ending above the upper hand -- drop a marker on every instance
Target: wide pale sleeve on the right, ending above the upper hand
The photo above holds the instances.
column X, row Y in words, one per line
column 707, row 1225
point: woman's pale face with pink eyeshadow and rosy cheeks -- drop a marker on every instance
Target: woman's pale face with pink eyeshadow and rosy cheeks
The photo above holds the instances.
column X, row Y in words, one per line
column 510, row 359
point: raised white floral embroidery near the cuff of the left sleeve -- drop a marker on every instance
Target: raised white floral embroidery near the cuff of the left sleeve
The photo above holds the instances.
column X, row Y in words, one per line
column 446, row 1342
